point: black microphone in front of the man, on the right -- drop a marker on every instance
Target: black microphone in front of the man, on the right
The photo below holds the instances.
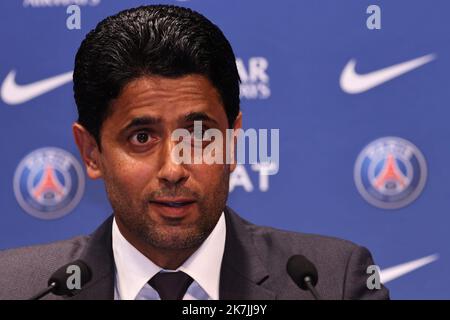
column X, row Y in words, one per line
column 303, row 273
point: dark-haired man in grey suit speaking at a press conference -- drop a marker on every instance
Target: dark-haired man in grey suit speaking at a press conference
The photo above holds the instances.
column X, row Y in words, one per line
column 140, row 76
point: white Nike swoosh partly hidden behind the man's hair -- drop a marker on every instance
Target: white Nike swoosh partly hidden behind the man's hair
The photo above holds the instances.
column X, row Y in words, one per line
column 13, row 94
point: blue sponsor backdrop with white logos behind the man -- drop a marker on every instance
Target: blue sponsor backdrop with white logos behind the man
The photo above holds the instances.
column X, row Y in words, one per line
column 314, row 70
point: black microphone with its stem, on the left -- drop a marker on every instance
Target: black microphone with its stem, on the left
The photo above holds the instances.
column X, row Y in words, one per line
column 57, row 284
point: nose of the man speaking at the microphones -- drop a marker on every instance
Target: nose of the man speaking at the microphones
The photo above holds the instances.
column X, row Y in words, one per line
column 171, row 172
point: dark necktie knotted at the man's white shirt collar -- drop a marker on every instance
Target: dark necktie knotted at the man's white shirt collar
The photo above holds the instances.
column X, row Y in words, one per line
column 171, row 285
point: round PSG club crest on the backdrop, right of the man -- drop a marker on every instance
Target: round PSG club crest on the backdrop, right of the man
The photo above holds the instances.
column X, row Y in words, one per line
column 390, row 173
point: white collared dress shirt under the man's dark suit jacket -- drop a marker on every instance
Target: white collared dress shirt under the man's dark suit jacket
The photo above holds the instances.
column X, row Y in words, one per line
column 133, row 269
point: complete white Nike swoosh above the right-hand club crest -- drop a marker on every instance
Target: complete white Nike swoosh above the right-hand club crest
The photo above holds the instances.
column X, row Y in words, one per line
column 351, row 82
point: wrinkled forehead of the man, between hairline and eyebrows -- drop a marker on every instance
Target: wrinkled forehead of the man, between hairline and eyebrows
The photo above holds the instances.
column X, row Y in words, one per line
column 185, row 98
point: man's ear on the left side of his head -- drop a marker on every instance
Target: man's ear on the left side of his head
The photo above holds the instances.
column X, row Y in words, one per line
column 88, row 149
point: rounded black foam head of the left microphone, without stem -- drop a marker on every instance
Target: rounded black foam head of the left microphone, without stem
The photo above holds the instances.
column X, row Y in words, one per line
column 78, row 269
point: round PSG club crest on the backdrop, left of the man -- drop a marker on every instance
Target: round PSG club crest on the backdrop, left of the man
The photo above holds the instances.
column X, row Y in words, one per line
column 48, row 183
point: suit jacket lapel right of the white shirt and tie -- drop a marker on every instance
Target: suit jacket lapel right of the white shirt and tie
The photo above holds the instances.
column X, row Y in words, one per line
column 242, row 275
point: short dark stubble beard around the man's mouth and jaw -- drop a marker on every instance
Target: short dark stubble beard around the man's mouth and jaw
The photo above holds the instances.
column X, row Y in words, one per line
column 176, row 236
